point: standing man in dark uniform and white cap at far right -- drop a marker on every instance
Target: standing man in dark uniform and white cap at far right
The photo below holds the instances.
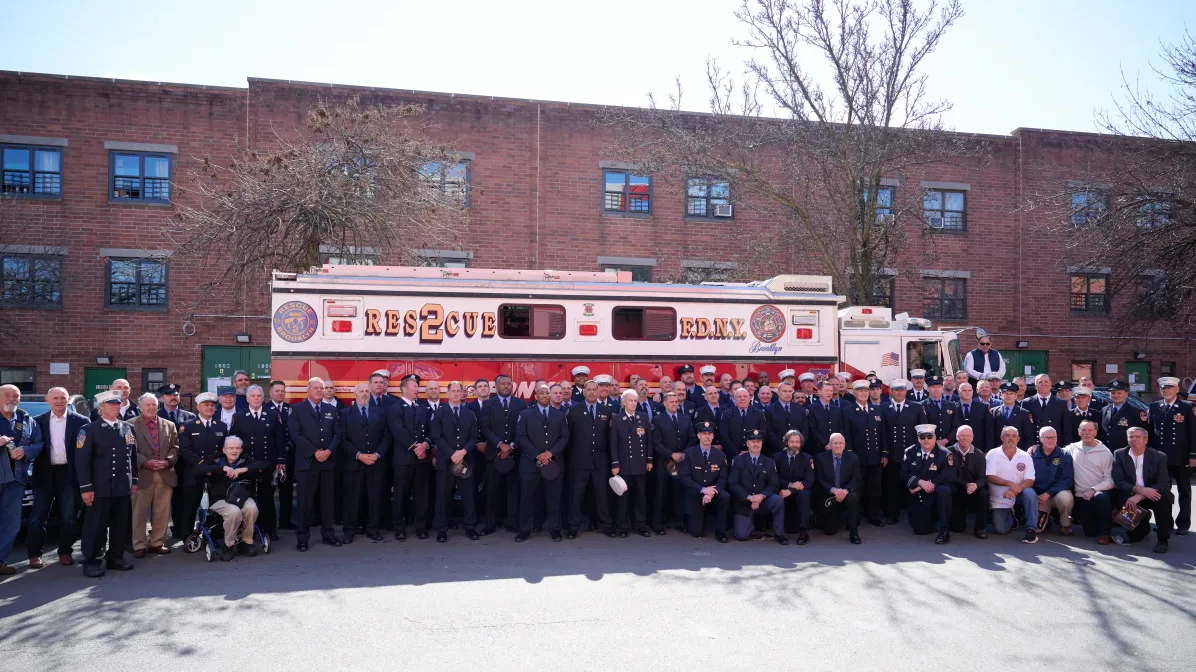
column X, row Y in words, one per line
column 1175, row 436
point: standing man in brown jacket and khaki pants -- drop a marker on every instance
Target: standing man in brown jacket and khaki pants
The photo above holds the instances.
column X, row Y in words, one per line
column 157, row 455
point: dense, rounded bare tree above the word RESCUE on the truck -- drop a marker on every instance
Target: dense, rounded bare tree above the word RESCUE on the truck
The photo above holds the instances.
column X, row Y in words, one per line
column 358, row 182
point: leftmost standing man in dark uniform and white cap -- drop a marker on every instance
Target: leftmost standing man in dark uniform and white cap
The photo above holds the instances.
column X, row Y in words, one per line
column 107, row 467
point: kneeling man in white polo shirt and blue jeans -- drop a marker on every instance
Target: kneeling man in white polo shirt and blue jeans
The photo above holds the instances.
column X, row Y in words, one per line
column 1011, row 479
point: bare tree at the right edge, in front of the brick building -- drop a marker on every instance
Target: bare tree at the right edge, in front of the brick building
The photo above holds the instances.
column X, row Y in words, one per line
column 1133, row 212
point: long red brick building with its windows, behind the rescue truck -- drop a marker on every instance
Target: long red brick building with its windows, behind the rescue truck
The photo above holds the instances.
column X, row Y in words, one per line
column 95, row 168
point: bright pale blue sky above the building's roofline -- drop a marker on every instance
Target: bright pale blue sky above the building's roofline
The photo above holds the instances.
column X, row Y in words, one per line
column 1046, row 64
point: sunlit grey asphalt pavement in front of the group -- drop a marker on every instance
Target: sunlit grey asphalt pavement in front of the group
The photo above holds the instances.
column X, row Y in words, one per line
column 898, row 602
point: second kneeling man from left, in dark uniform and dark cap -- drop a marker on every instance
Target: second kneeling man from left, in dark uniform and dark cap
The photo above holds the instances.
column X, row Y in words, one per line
column 755, row 486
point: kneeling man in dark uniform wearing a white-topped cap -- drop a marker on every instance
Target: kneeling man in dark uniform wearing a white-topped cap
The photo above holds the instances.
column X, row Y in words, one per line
column 930, row 475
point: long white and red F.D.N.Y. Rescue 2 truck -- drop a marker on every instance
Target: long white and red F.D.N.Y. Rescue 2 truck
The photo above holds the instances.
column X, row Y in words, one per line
column 341, row 323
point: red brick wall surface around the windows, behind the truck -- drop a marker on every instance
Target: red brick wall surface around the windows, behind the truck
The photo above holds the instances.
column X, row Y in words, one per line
column 536, row 204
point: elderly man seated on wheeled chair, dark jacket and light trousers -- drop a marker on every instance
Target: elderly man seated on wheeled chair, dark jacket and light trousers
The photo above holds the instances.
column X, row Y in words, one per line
column 231, row 491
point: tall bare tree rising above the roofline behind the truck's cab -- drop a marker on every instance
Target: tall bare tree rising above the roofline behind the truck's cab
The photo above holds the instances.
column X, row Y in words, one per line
column 819, row 151
